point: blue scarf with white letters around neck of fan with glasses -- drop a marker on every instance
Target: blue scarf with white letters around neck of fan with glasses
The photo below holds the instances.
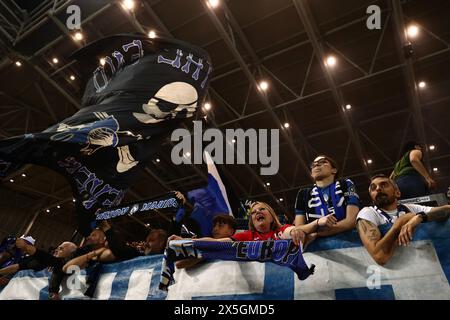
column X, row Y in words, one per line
column 321, row 206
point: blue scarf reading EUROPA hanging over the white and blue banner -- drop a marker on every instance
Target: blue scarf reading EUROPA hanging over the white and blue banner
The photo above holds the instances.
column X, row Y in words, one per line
column 281, row 252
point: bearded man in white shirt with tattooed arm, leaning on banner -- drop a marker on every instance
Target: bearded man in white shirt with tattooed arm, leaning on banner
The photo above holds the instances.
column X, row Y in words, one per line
column 387, row 211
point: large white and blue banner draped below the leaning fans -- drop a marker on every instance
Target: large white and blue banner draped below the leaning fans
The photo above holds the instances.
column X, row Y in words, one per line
column 344, row 270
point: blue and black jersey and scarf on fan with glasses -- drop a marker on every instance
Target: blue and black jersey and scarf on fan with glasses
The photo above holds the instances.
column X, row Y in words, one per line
column 327, row 200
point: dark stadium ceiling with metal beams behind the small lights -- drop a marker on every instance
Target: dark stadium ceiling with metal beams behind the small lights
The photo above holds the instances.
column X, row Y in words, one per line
column 284, row 42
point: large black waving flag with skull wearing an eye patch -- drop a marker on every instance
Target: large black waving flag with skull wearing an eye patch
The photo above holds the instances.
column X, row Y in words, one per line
column 144, row 89
